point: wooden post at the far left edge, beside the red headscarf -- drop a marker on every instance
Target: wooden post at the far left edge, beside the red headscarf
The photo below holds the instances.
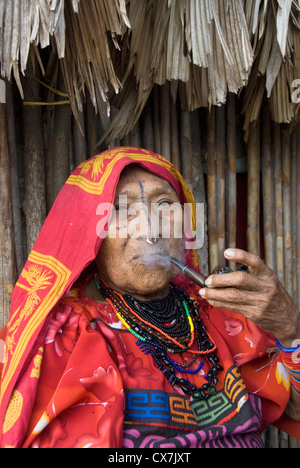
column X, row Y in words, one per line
column 8, row 274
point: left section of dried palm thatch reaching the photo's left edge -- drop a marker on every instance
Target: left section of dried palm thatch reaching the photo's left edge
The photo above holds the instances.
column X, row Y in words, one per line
column 80, row 30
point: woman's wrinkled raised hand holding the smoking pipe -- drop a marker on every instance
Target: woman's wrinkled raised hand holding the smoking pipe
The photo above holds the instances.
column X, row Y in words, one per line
column 256, row 294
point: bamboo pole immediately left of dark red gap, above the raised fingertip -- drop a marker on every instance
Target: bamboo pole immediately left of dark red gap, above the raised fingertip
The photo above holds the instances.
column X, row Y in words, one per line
column 231, row 197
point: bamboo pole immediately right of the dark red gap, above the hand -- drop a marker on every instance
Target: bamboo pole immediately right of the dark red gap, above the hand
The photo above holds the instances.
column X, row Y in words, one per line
column 253, row 190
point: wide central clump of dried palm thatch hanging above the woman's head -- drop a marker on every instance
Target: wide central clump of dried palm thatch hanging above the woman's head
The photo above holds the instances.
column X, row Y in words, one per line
column 203, row 45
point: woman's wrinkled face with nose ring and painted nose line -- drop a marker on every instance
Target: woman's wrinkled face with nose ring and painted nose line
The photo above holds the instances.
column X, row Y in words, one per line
column 129, row 260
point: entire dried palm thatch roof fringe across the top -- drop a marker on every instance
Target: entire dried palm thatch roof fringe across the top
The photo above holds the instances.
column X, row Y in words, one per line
column 119, row 49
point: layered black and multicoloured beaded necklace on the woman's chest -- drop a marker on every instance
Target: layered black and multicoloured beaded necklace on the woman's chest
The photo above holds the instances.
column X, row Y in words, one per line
column 169, row 325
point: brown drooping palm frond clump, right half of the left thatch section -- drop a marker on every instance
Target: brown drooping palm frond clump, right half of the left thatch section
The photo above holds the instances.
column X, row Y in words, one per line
column 87, row 60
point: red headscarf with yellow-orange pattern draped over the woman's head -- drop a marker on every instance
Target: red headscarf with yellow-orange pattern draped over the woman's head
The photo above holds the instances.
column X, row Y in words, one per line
column 67, row 244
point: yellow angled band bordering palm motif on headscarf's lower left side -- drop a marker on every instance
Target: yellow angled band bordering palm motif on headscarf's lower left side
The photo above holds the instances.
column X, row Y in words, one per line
column 62, row 276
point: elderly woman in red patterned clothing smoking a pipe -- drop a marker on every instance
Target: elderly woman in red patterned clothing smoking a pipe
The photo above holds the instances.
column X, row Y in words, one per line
column 108, row 345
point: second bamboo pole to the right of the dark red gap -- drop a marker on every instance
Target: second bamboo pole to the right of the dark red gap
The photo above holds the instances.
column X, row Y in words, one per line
column 267, row 190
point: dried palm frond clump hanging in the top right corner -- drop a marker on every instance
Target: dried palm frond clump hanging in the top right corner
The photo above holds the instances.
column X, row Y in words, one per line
column 274, row 25
